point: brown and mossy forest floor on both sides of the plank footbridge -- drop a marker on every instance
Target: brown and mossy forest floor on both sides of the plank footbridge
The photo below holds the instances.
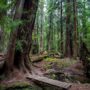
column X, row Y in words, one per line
column 67, row 70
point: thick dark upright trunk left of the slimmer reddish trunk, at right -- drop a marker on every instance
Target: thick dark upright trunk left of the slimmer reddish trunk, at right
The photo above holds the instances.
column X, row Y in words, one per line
column 68, row 45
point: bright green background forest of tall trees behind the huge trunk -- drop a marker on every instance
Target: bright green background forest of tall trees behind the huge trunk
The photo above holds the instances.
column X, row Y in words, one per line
column 59, row 26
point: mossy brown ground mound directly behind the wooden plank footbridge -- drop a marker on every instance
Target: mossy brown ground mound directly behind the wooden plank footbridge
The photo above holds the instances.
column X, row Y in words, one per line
column 63, row 69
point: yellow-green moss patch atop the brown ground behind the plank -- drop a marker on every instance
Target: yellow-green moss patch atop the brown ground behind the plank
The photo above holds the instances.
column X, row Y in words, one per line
column 60, row 63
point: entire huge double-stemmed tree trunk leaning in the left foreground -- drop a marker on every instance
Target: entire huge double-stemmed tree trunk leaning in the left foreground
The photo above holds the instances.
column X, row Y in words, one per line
column 19, row 58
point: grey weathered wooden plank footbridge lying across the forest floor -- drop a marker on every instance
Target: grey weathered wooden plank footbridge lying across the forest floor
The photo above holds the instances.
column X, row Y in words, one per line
column 49, row 82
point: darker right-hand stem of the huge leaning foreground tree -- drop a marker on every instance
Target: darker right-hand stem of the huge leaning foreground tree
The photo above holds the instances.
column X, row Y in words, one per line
column 25, row 35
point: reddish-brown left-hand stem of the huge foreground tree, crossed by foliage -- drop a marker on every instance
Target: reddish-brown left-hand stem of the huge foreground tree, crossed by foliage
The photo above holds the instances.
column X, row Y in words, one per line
column 11, row 48
